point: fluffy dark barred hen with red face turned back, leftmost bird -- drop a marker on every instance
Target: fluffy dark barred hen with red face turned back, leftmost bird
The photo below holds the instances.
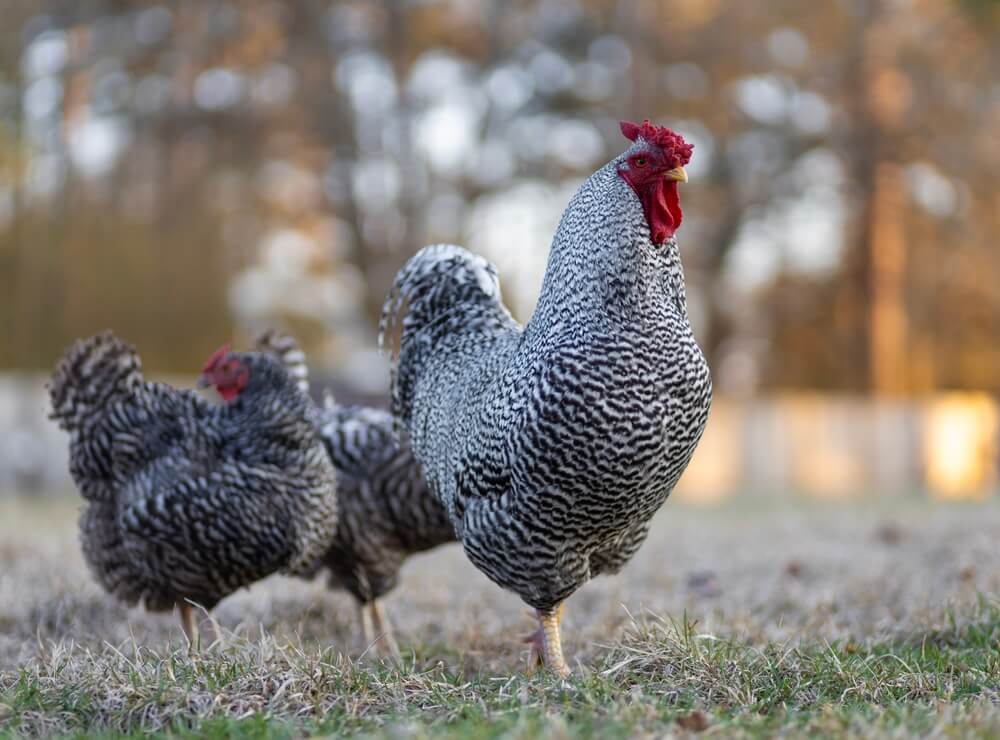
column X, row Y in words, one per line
column 188, row 500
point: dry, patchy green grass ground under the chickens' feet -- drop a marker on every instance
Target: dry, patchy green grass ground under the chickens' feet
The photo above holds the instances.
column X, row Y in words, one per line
column 760, row 616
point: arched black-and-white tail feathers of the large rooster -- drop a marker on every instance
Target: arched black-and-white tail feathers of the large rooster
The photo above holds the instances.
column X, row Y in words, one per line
column 441, row 291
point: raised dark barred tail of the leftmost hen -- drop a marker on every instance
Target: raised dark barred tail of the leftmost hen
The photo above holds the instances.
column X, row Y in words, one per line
column 93, row 374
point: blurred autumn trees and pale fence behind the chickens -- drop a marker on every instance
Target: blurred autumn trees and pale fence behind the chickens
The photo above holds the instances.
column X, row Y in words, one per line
column 189, row 172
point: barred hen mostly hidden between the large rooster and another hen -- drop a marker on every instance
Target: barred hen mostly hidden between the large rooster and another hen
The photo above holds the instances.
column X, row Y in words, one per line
column 386, row 512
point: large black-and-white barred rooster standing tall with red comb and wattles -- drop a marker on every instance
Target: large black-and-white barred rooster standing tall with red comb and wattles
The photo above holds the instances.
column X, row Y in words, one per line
column 551, row 445
